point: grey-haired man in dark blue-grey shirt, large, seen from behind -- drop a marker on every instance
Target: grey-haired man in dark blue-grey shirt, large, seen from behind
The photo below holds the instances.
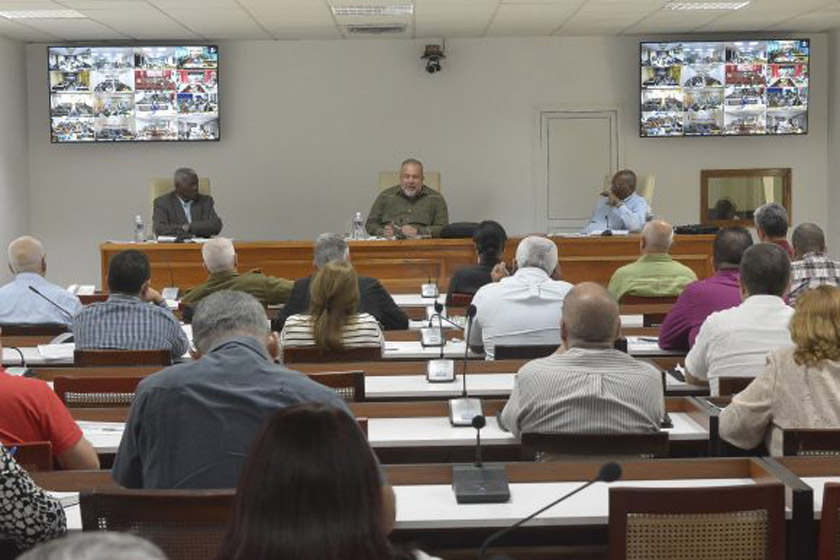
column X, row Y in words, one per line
column 191, row 425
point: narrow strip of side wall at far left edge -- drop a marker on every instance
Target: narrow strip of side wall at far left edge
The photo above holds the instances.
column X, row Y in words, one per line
column 14, row 172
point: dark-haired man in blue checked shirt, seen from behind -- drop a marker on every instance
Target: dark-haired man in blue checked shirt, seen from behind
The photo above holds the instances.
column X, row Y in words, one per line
column 134, row 317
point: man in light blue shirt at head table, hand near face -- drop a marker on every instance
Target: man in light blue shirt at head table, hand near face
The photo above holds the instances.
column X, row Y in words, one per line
column 620, row 207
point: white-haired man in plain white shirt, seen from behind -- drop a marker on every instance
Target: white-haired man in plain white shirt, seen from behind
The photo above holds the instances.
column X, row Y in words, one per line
column 524, row 308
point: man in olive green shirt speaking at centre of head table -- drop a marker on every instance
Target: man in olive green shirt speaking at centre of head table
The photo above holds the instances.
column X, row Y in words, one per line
column 409, row 209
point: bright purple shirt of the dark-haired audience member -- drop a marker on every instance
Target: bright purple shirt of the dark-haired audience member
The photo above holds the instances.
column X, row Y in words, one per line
column 696, row 302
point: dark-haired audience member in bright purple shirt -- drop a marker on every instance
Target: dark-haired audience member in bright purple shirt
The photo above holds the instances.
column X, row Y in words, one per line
column 700, row 299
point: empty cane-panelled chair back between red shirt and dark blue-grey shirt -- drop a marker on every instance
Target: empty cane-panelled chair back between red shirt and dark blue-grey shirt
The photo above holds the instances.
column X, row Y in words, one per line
column 95, row 392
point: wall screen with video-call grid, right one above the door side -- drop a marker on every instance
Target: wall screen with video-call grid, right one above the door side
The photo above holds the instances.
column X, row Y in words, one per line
column 724, row 88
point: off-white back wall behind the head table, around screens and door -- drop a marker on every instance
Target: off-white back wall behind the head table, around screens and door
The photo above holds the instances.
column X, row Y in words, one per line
column 307, row 126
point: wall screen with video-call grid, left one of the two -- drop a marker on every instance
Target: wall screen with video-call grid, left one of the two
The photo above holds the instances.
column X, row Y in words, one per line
column 118, row 94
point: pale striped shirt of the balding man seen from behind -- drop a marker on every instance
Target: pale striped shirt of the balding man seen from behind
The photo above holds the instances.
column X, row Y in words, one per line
column 587, row 391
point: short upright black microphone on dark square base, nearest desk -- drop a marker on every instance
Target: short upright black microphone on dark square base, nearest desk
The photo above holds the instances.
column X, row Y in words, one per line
column 479, row 483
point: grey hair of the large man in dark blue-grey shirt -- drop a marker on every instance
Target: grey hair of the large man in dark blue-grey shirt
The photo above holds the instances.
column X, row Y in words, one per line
column 226, row 314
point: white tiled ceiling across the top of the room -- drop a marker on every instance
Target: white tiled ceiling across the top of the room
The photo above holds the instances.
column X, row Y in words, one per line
column 209, row 20
